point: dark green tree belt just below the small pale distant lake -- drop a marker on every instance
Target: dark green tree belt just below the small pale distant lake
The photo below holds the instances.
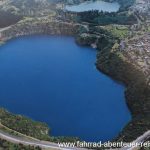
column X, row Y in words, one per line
column 106, row 18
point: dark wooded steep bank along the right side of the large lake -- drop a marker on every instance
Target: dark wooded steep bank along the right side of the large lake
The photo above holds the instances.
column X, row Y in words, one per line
column 116, row 65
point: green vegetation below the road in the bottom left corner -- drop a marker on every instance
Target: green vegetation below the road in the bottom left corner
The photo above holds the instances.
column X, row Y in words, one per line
column 5, row 145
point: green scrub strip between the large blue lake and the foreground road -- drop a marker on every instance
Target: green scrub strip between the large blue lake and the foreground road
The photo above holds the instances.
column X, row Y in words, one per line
column 29, row 127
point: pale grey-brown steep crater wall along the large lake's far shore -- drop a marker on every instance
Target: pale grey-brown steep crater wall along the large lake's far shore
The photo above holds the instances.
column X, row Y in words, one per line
column 31, row 26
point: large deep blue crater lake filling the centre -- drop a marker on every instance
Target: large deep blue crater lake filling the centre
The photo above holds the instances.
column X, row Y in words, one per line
column 51, row 79
